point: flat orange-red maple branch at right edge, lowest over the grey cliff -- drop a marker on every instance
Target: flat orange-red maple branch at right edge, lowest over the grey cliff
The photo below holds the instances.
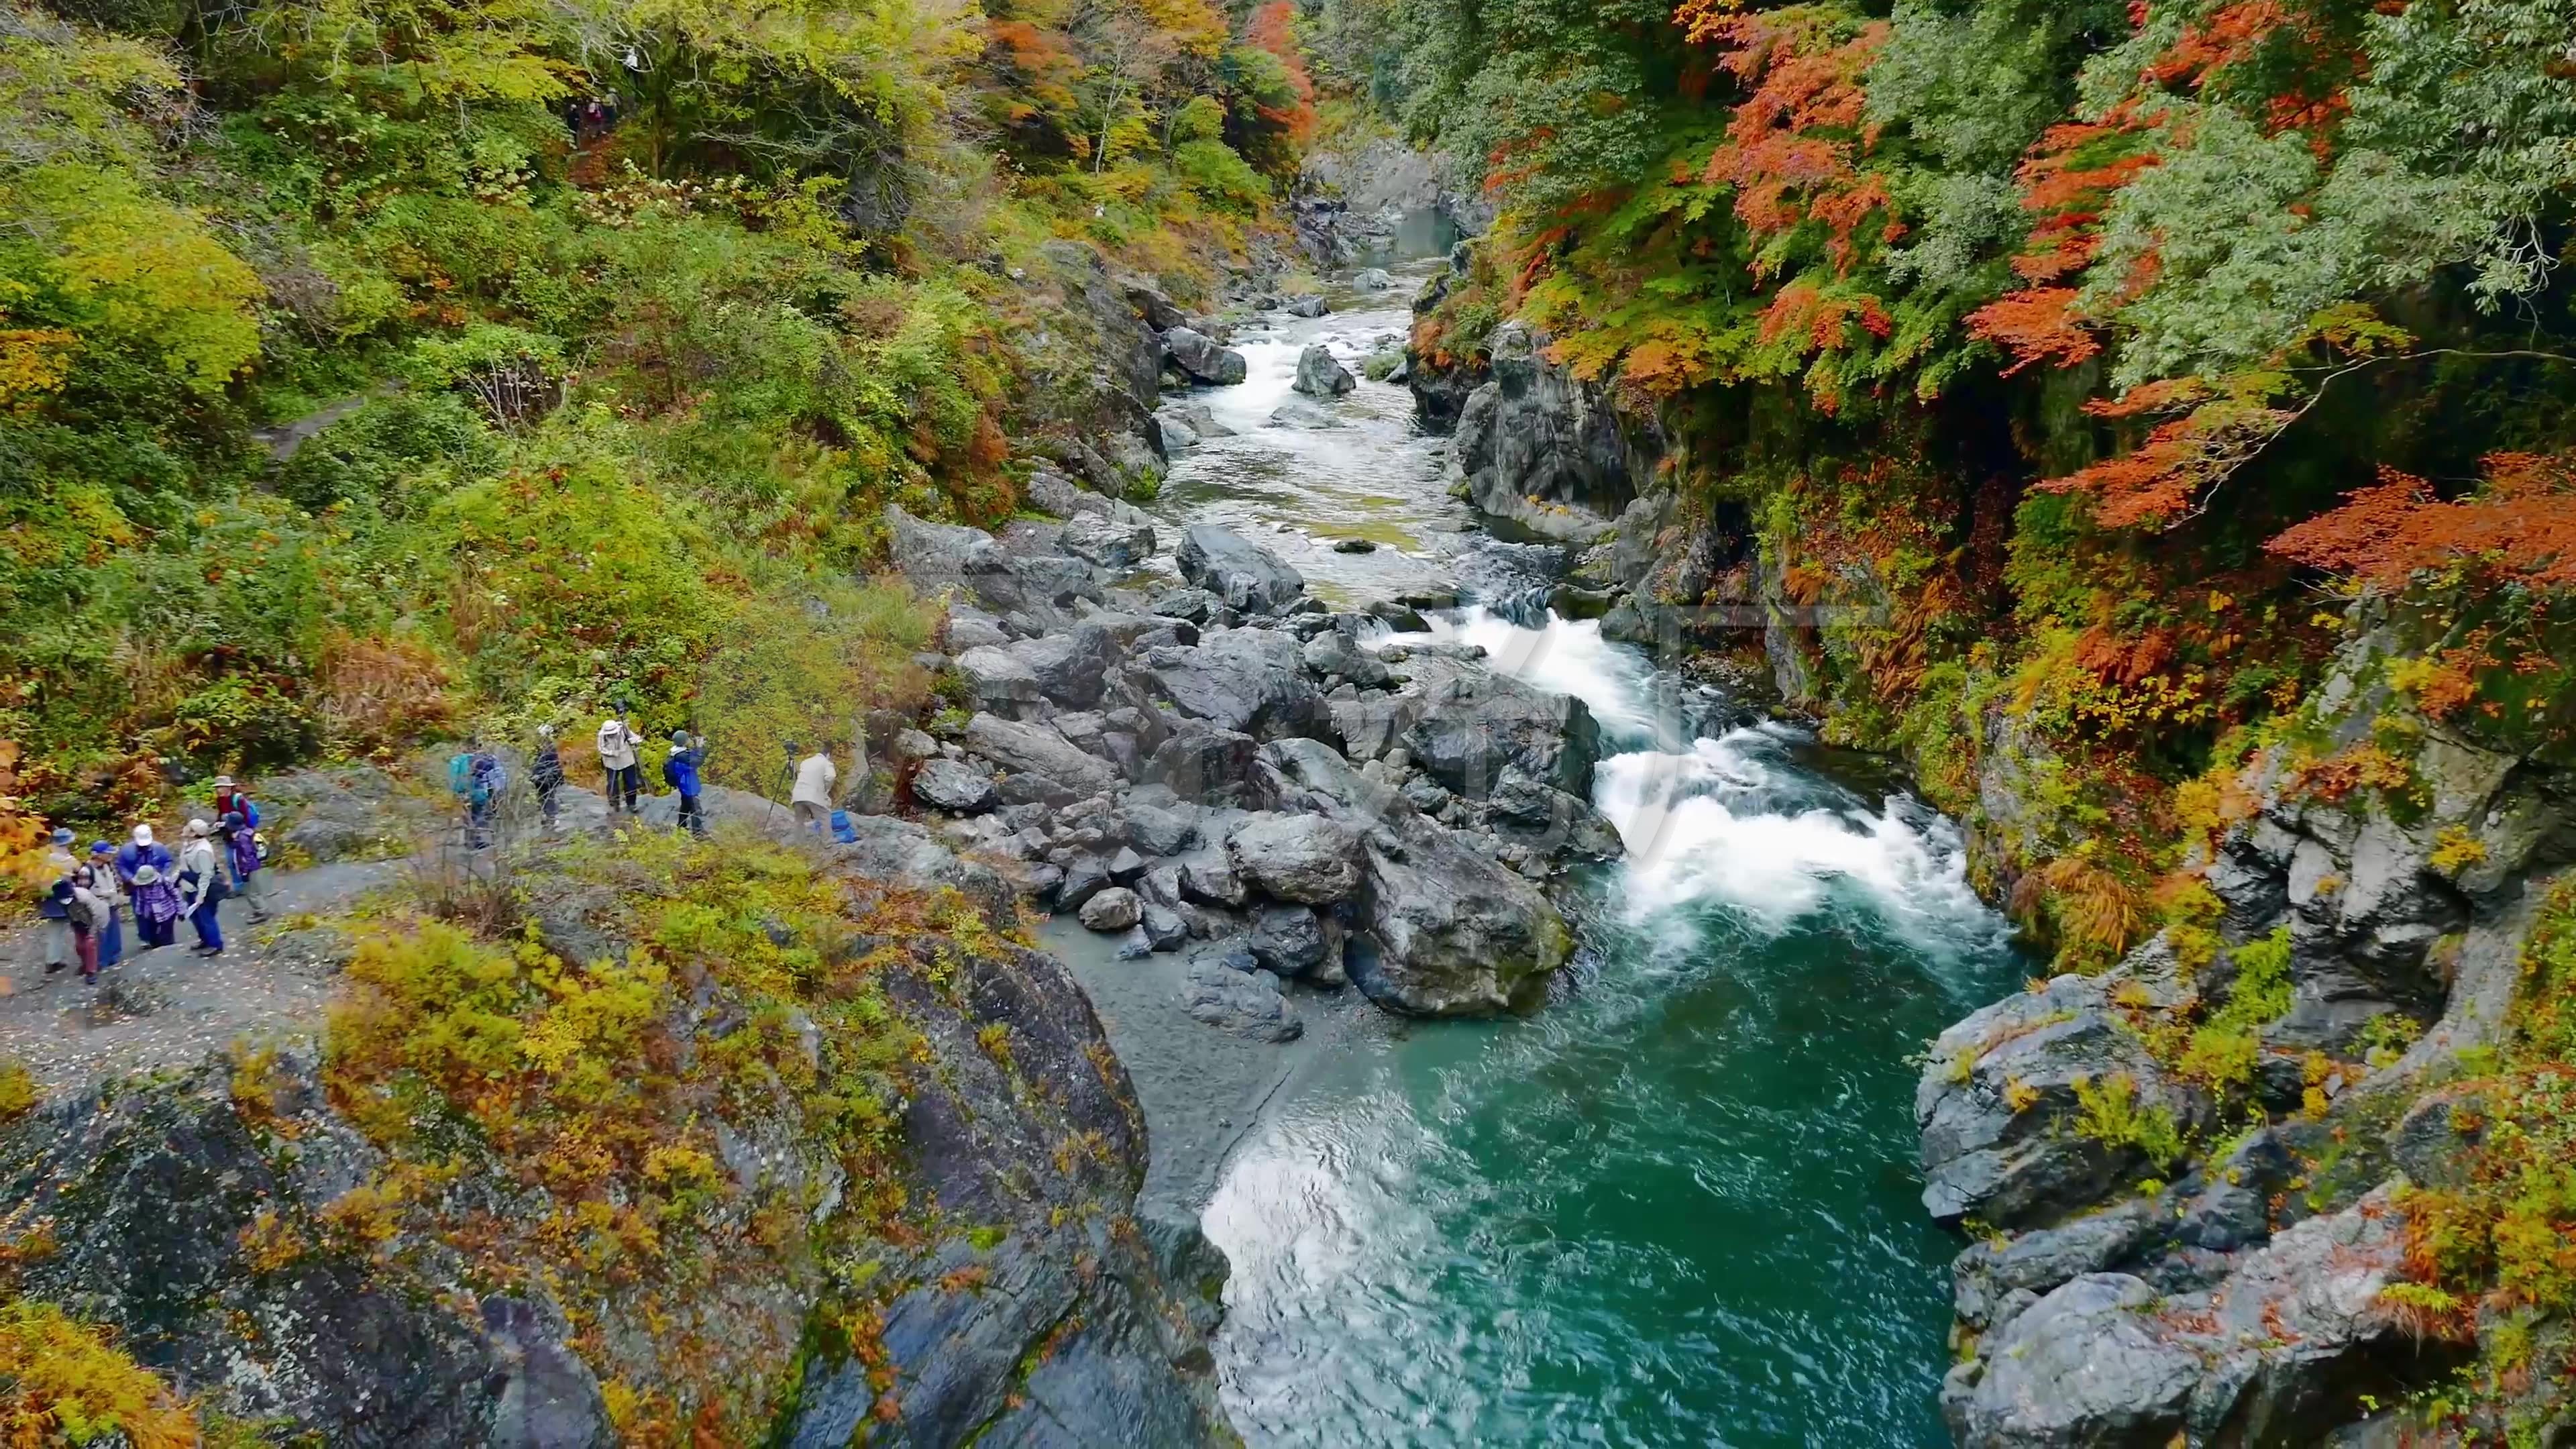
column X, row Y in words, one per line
column 2518, row 527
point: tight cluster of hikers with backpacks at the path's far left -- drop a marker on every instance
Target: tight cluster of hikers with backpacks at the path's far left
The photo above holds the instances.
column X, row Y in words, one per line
column 89, row 901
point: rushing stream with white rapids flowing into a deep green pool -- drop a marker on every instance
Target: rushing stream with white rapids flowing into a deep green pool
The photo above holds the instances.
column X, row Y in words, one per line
column 1673, row 1208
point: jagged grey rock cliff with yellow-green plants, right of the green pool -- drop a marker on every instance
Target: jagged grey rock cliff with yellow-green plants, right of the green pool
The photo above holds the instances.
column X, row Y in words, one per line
column 2193, row 1247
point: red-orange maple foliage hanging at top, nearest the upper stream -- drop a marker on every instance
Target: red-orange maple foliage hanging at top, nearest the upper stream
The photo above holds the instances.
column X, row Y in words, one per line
column 1792, row 146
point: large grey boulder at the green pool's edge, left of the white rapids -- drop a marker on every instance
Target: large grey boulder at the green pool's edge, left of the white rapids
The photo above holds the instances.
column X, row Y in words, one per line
column 1441, row 927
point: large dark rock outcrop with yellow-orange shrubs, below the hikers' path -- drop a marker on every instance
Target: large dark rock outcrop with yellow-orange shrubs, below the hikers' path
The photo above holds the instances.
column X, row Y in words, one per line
column 251, row 1241
